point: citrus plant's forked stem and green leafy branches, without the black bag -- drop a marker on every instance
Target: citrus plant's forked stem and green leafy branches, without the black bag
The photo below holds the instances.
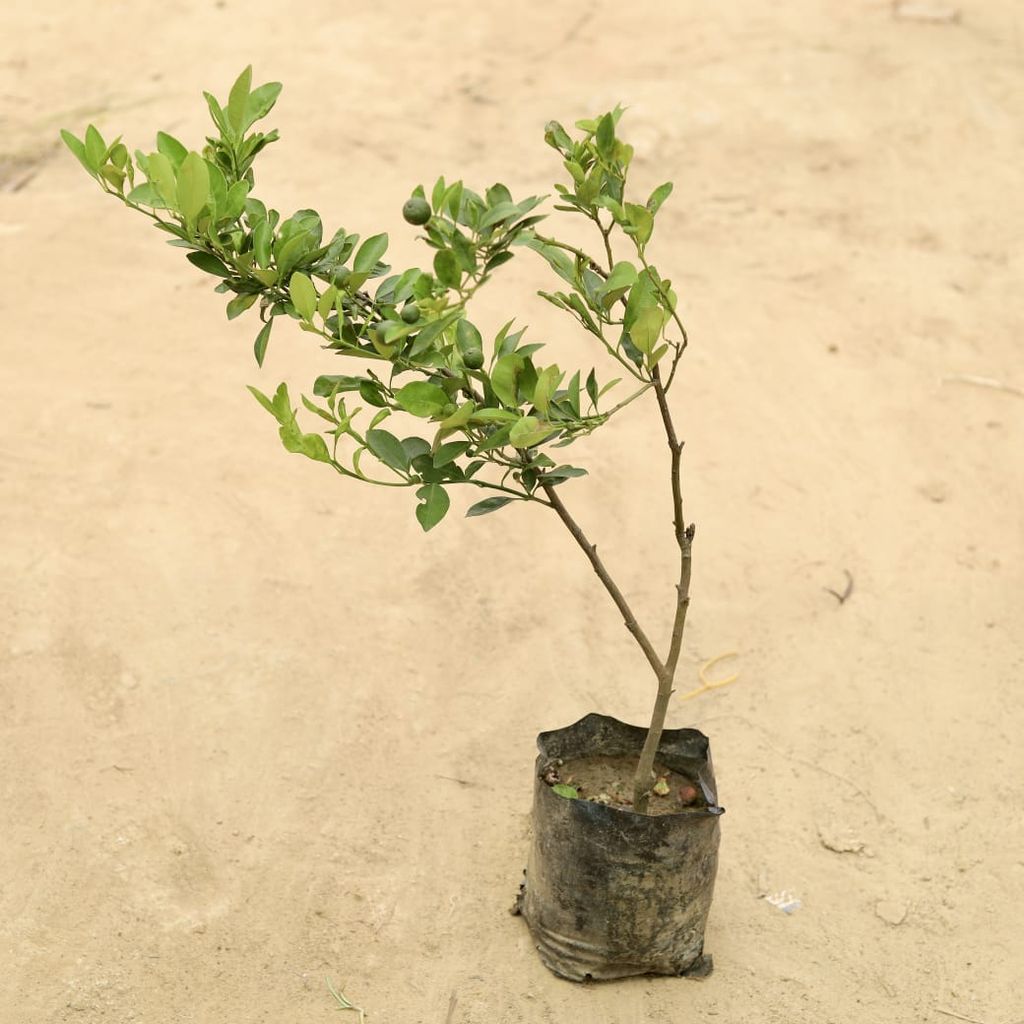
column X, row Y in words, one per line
column 432, row 406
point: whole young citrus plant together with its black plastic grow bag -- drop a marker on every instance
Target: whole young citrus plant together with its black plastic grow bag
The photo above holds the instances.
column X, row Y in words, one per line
column 625, row 820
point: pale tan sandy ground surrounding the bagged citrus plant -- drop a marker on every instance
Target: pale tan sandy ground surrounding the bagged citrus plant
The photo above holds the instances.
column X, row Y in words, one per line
column 221, row 667
